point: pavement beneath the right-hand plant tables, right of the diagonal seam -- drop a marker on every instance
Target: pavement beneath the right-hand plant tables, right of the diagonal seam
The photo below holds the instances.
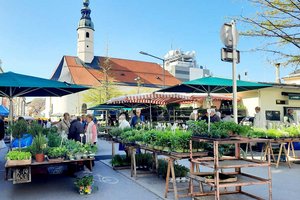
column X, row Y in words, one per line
column 285, row 184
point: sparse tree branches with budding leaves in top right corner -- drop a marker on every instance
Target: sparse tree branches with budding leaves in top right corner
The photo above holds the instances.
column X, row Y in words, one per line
column 278, row 23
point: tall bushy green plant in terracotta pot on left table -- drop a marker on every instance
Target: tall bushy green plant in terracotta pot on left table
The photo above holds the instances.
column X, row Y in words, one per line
column 38, row 147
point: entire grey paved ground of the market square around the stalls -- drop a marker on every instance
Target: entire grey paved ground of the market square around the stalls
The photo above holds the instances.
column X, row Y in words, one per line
column 119, row 185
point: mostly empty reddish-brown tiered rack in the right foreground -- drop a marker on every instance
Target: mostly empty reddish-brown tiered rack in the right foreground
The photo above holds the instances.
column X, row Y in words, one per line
column 236, row 163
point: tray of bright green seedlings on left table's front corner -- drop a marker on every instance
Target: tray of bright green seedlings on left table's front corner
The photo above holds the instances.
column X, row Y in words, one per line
column 18, row 158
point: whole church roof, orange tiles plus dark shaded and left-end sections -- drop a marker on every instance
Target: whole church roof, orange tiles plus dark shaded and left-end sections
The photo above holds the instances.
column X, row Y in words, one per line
column 122, row 71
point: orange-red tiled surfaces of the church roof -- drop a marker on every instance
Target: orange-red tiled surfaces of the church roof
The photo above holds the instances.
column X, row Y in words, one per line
column 121, row 71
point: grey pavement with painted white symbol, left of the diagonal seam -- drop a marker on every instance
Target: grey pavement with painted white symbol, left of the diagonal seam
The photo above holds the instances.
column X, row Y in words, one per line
column 111, row 186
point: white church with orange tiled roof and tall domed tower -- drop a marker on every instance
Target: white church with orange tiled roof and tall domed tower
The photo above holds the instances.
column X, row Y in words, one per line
column 90, row 70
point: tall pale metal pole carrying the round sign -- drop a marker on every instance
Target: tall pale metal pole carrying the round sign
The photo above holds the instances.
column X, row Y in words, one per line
column 234, row 85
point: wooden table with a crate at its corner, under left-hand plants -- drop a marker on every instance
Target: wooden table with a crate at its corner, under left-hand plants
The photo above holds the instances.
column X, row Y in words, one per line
column 24, row 171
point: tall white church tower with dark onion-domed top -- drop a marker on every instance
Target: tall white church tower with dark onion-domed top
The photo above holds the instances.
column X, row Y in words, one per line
column 85, row 38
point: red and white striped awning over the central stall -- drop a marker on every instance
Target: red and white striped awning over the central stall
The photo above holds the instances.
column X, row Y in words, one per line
column 160, row 98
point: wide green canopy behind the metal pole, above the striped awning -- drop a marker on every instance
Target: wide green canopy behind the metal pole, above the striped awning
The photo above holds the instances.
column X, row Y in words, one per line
column 214, row 85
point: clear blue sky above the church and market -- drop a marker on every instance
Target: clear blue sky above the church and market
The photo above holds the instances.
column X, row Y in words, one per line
column 36, row 34
